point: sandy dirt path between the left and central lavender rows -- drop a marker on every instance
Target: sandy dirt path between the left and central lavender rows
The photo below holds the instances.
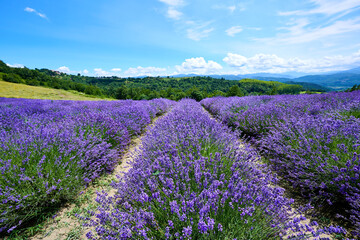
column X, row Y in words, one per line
column 65, row 225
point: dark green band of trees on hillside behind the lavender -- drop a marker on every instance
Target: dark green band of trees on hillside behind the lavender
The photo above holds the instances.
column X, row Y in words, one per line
column 197, row 87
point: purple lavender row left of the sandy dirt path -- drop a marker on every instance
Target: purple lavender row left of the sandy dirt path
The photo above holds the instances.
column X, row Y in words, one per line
column 49, row 150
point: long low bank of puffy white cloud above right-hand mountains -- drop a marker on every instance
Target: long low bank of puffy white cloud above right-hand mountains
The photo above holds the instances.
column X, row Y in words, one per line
column 272, row 63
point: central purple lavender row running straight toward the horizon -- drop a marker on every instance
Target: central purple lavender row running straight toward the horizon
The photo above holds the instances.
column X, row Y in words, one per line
column 192, row 180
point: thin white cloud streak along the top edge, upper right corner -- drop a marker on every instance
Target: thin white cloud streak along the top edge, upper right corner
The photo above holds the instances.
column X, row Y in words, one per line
column 327, row 7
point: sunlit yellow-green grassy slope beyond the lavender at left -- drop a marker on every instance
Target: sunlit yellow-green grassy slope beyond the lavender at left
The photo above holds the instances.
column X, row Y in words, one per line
column 14, row 90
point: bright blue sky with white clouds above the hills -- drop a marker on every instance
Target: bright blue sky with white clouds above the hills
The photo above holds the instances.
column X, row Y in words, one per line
column 166, row 37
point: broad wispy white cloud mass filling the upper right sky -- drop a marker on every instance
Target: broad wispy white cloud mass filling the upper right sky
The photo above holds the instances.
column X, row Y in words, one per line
column 305, row 27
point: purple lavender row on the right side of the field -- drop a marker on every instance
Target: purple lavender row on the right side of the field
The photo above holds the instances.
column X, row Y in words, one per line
column 310, row 140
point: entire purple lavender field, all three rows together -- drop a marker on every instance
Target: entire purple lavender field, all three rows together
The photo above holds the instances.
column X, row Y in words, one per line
column 194, row 176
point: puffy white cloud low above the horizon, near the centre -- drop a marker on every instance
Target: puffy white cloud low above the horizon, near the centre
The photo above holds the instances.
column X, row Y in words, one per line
column 198, row 66
